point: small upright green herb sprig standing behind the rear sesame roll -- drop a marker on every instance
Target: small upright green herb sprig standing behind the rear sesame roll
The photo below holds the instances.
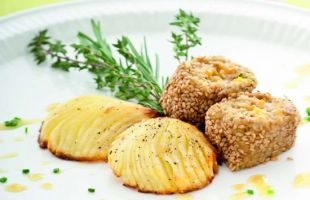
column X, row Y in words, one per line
column 187, row 37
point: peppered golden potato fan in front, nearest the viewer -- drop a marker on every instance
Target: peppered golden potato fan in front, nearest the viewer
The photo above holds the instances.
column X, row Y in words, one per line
column 163, row 155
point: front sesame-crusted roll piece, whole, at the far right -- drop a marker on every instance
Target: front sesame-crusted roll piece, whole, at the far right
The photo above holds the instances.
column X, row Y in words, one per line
column 252, row 128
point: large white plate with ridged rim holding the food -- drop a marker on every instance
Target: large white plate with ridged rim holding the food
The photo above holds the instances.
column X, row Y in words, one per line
column 271, row 39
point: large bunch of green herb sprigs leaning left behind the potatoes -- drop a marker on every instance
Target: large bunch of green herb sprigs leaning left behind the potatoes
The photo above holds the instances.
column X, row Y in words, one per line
column 130, row 76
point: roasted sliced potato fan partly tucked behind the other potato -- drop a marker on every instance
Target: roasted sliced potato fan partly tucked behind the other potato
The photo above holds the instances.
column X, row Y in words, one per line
column 85, row 127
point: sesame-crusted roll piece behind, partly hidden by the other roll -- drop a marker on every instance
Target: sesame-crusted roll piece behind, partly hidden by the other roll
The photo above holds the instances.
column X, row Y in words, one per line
column 202, row 82
